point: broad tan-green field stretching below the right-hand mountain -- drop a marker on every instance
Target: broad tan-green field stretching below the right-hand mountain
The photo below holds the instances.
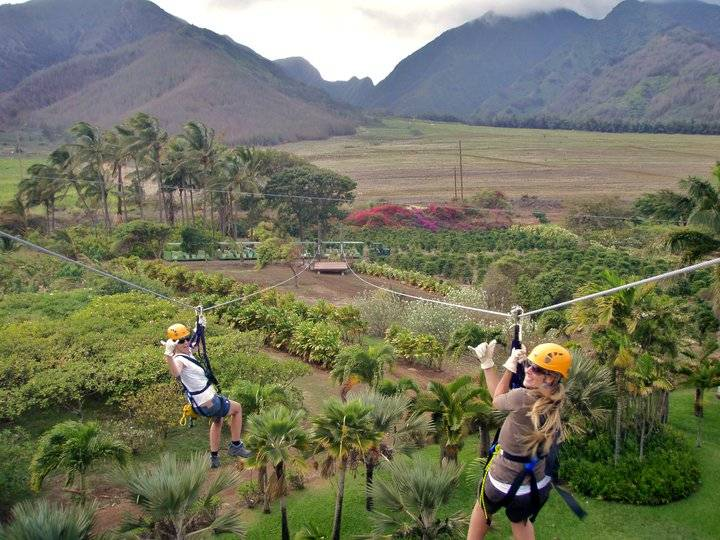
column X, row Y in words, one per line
column 411, row 160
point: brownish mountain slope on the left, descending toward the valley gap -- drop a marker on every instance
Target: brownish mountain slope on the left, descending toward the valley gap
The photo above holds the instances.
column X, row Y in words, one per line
column 100, row 61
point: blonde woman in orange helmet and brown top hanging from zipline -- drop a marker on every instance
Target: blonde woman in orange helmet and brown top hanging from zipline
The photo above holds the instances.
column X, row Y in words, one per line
column 514, row 477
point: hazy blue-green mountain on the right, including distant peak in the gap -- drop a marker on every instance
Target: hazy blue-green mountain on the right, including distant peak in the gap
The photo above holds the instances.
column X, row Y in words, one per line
column 644, row 62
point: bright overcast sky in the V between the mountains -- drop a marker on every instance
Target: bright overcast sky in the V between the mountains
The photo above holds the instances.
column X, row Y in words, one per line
column 343, row 38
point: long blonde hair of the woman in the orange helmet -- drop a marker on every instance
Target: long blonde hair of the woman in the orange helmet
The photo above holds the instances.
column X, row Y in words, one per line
column 545, row 418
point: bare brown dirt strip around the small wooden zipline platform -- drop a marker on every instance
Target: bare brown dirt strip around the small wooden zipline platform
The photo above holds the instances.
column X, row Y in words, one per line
column 335, row 288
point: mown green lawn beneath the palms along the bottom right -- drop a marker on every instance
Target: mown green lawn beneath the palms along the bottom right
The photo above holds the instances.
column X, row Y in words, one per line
column 688, row 519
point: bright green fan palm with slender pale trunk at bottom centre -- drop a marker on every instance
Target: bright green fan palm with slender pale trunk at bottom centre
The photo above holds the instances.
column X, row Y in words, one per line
column 342, row 430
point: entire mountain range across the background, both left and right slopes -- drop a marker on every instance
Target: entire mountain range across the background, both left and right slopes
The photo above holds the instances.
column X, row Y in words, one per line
column 68, row 60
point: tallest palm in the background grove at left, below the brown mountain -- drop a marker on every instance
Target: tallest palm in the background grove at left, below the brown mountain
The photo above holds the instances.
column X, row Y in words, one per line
column 144, row 139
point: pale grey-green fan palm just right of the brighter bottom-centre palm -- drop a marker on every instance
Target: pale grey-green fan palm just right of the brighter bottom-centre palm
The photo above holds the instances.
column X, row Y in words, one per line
column 403, row 429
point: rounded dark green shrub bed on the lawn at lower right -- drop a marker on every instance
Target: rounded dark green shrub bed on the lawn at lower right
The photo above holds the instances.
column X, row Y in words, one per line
column 668, row 472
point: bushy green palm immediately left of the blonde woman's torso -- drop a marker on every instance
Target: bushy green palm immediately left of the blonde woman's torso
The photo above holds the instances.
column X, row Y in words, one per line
column 452, row 405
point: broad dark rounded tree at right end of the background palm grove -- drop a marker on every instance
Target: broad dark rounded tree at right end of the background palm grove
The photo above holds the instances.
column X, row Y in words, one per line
column 308, row 195
